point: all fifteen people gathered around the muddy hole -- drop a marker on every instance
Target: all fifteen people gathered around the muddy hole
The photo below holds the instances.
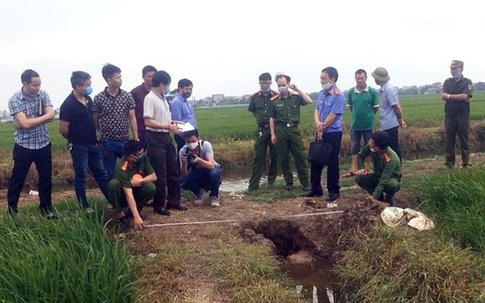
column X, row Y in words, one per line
column 151, row 167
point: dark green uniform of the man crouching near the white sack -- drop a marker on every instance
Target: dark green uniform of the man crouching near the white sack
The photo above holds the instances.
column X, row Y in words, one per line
column 385, row 167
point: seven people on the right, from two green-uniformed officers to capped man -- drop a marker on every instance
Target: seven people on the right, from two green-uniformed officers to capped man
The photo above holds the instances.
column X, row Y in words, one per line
column 277, row 115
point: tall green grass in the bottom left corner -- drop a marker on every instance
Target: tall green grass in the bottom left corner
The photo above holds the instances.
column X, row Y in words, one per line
column 67, row 260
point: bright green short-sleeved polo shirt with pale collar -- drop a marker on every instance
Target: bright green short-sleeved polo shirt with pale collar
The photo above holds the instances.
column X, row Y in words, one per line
column 363, row 104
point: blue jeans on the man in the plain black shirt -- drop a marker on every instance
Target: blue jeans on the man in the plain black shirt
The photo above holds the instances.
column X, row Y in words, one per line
column 84, row 157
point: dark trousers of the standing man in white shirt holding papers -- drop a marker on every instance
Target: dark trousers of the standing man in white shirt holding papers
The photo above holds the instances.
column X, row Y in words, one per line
column 162, row 155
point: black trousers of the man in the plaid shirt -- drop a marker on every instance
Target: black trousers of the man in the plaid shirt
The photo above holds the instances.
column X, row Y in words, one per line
column 23, row 158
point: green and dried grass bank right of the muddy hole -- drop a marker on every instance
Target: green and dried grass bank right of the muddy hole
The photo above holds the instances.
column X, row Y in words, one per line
column 404, row 265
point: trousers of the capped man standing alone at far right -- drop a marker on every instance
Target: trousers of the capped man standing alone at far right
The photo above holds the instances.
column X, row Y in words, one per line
column 457, row 125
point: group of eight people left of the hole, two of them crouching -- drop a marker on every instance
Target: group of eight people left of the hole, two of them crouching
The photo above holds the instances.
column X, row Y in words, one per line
column 129, row 172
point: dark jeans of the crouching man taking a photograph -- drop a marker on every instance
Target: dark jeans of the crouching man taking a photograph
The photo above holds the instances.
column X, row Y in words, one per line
column 198, row 178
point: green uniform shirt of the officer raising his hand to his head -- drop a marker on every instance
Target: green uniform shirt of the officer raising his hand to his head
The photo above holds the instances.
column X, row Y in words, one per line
column 287, row 109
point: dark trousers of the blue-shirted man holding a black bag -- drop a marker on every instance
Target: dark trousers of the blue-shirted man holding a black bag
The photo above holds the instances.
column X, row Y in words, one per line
column 333, row 169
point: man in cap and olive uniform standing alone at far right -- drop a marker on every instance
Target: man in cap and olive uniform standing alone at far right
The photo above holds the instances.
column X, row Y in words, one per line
column 457, row 92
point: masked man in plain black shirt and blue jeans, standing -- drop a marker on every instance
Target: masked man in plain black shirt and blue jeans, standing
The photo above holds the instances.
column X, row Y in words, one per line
column 77, row 126
